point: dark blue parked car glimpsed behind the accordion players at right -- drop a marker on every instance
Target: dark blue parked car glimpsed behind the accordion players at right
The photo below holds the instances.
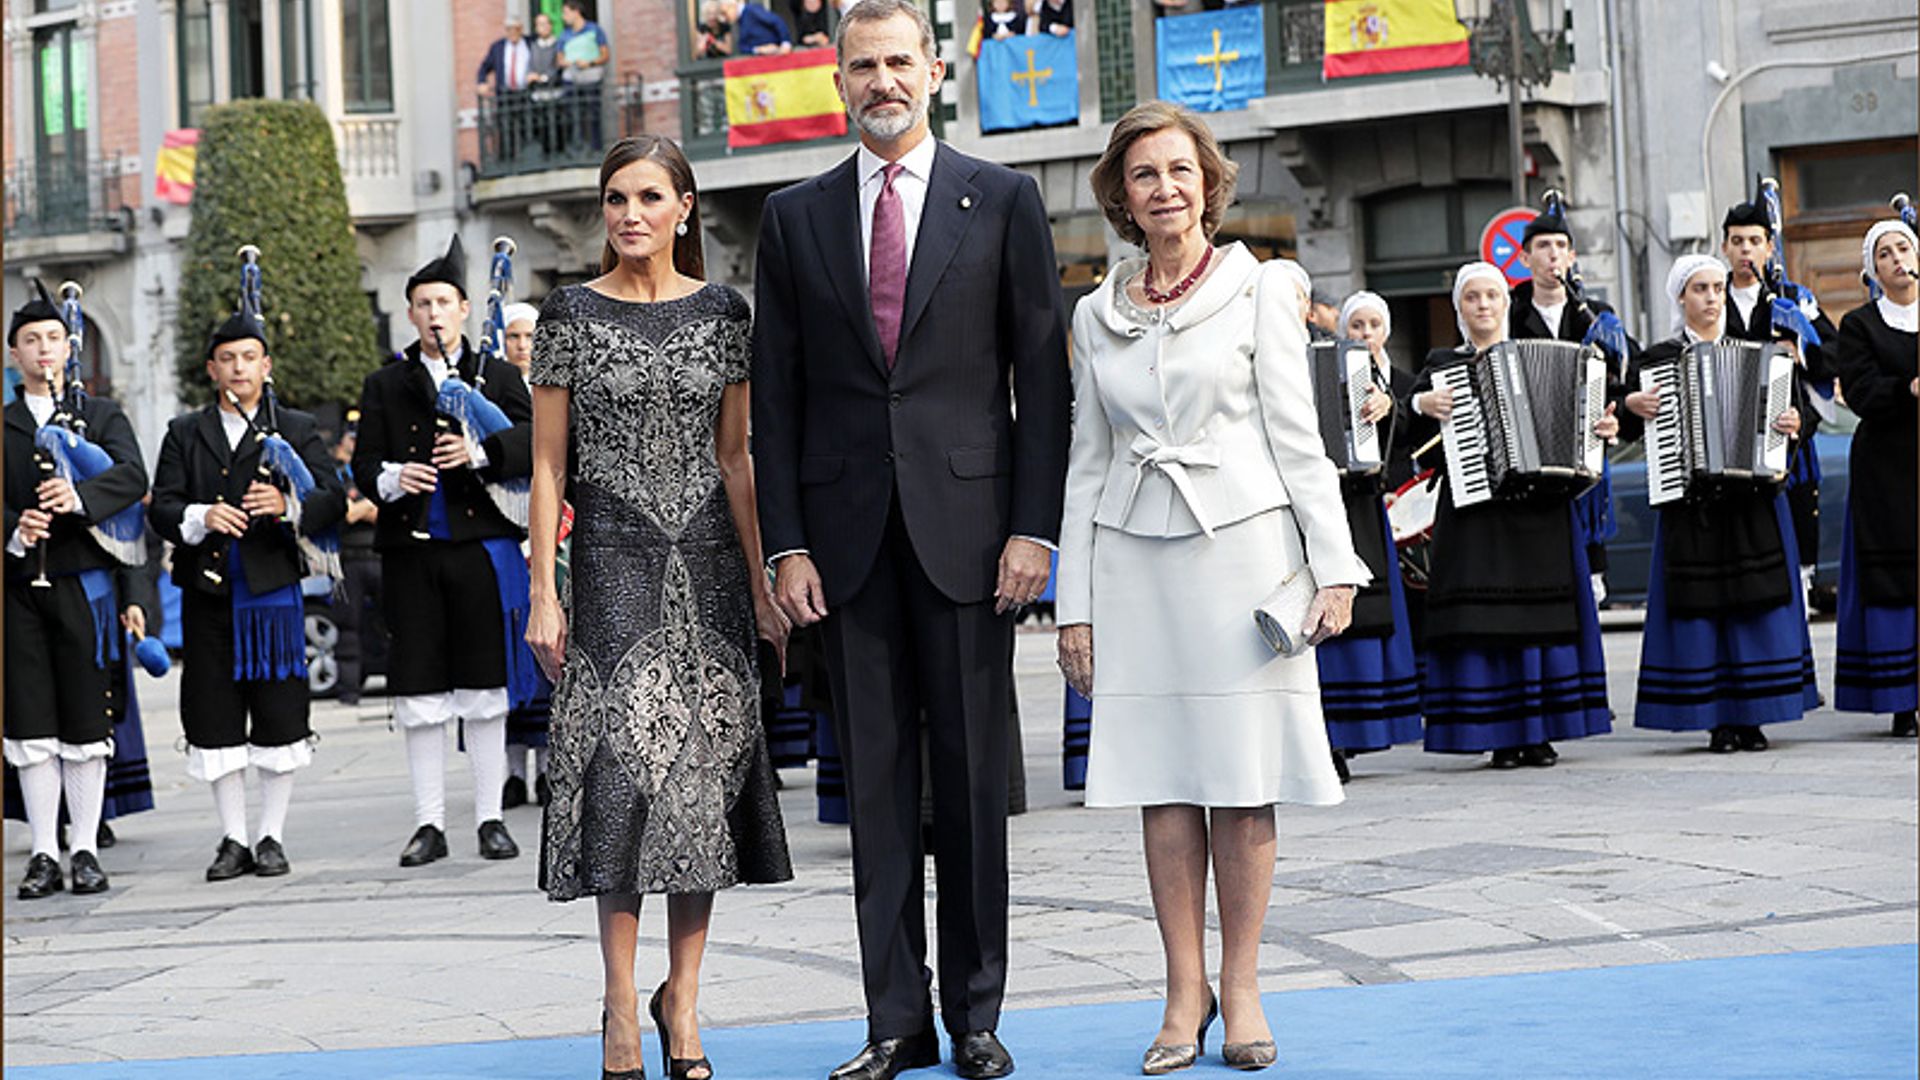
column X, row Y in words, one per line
column 1631, row 552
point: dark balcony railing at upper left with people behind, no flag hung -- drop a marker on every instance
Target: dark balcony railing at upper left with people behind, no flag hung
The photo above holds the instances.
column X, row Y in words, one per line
column 535, row 132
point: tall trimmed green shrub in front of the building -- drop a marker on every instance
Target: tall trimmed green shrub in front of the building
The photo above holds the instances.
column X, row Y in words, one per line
column 268, row 176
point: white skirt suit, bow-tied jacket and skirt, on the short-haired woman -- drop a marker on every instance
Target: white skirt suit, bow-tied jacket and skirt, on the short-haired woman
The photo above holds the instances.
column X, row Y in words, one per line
column 1197, row 466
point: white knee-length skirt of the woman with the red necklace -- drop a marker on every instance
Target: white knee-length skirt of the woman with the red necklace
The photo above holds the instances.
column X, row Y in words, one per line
column 1189, row 702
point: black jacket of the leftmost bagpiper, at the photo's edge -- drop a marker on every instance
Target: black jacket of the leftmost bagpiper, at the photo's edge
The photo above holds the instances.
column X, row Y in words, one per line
column 70, row 549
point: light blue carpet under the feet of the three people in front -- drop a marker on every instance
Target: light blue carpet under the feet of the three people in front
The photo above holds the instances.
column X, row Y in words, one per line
column 1842, row 1014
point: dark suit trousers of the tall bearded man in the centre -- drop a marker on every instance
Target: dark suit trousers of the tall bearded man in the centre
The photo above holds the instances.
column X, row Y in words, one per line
column 894, row 649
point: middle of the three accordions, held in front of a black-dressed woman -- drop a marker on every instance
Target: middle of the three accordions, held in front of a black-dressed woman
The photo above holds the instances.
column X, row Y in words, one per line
column 1524, row 422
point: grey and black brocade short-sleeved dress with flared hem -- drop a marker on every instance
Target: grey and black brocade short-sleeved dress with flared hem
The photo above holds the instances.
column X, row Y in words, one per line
column 660, row 773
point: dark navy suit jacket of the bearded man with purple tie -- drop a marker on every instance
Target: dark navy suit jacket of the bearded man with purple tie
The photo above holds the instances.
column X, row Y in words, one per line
column 836, row 435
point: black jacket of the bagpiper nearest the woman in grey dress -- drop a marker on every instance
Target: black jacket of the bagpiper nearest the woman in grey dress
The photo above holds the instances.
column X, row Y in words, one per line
column 398, row 426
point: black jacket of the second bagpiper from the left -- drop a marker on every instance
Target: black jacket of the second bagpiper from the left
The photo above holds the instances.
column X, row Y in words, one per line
column 199, row 468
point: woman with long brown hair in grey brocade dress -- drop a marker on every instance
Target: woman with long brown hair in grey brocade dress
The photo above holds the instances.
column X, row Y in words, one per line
column 660, row 773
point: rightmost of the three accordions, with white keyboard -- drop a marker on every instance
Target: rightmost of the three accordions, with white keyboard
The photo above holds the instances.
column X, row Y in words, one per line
column 1717, row 418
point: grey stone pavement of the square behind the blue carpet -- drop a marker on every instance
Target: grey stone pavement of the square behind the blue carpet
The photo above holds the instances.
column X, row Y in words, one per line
column 1639, row 848
